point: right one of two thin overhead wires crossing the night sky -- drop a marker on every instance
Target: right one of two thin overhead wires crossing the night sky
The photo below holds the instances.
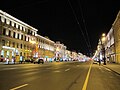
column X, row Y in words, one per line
column 85, row 26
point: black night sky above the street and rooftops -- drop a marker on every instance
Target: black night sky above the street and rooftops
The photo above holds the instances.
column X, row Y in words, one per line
column 78, row 24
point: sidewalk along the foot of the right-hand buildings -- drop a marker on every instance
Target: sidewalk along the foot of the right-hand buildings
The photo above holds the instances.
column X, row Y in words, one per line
column 114, row 67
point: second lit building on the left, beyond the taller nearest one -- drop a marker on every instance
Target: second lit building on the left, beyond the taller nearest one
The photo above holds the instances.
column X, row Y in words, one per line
column 45, row 48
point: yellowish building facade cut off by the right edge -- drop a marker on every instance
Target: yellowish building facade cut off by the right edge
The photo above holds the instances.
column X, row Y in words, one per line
column 116, row 28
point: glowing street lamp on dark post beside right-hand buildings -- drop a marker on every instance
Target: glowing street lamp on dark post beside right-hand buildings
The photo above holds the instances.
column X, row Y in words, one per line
column 103, row 38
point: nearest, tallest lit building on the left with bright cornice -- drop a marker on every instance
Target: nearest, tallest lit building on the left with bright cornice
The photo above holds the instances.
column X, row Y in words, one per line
column 15, row 36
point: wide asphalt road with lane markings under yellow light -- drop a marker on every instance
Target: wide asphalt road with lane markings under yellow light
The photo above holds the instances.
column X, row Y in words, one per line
column 58, row 76
